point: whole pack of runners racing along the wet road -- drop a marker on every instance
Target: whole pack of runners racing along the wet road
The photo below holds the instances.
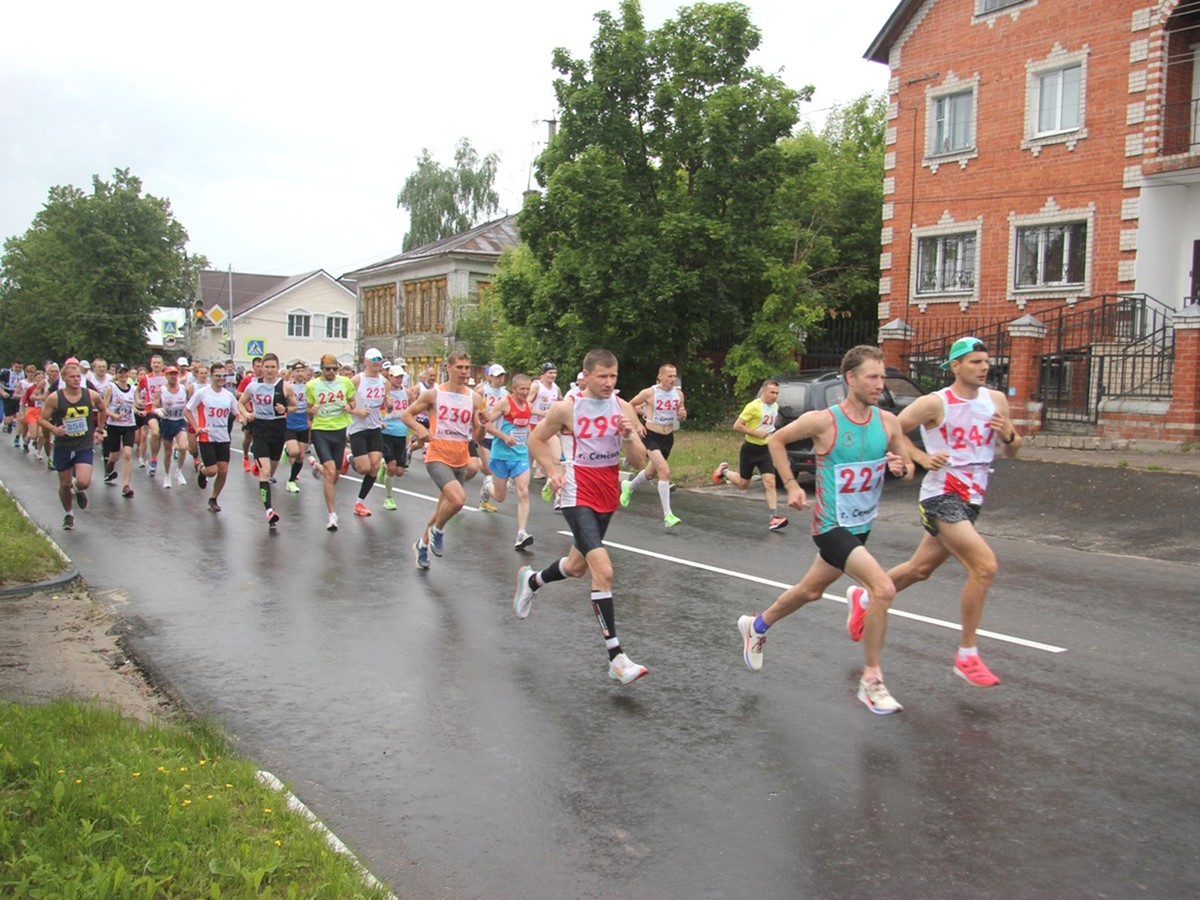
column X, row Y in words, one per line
column 377, row 418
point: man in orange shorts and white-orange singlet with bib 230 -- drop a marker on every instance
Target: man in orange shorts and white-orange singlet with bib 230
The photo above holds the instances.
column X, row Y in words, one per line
column 454, row 412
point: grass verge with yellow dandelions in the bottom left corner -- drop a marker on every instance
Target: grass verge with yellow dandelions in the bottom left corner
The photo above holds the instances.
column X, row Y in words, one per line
column 93, row 805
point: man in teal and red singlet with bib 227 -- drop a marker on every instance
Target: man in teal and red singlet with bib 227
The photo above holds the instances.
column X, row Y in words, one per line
column 855, row 445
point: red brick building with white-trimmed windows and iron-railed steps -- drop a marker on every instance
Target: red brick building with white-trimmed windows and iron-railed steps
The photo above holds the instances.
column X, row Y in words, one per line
column 1042, row 190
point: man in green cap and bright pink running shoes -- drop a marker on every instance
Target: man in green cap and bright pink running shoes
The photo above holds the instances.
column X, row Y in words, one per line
column 963, row 425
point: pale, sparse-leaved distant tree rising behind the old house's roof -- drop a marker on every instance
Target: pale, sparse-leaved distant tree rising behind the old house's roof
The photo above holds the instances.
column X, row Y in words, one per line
column 445, row 202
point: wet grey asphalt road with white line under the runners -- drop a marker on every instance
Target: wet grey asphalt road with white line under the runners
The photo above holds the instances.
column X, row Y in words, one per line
column 466, row 754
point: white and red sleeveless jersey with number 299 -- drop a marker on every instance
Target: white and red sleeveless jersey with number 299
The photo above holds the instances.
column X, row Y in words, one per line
column 593, row 481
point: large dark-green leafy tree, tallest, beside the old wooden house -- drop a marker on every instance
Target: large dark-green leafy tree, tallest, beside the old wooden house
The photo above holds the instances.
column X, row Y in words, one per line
column 658, row 232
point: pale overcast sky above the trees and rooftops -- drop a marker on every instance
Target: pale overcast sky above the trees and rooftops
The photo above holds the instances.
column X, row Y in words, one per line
column 283, row 135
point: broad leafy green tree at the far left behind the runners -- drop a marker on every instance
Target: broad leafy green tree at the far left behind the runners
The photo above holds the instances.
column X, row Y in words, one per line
column 87, row 275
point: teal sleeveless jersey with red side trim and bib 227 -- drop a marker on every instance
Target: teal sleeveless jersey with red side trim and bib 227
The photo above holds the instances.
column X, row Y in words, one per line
column 850, row 476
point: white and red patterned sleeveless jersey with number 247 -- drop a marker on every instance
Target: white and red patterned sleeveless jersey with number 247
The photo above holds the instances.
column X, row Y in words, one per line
column 967, row 436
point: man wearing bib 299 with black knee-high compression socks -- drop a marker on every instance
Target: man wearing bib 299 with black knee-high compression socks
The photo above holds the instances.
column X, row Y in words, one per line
column 601, row 423
